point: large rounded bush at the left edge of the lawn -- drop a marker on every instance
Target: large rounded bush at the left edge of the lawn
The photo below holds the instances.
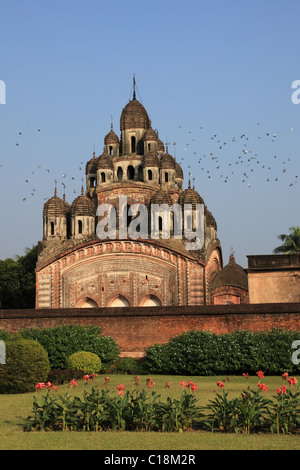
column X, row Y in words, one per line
column 27, row 363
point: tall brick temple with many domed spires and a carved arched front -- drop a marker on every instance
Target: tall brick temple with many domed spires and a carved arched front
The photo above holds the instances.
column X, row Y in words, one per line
column 77, row 268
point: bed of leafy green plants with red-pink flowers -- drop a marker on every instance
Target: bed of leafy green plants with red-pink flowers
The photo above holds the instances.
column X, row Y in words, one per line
column 141, row 409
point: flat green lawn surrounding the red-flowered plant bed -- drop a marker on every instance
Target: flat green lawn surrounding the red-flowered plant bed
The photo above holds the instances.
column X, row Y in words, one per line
column 15, row 408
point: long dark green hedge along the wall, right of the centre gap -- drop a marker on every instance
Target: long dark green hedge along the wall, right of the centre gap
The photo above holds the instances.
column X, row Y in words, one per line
column 206, row 353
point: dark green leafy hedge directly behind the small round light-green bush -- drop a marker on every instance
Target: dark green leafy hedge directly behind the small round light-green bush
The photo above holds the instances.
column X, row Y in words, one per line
column 62, row 341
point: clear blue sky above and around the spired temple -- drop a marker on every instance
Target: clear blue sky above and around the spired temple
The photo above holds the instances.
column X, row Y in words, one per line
column 215, row 77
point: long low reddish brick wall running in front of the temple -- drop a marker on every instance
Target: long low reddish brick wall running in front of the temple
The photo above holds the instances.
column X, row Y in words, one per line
column 134, row 329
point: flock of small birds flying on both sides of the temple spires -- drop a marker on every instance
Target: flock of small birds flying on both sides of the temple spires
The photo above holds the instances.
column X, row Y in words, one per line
column 214, row 163
